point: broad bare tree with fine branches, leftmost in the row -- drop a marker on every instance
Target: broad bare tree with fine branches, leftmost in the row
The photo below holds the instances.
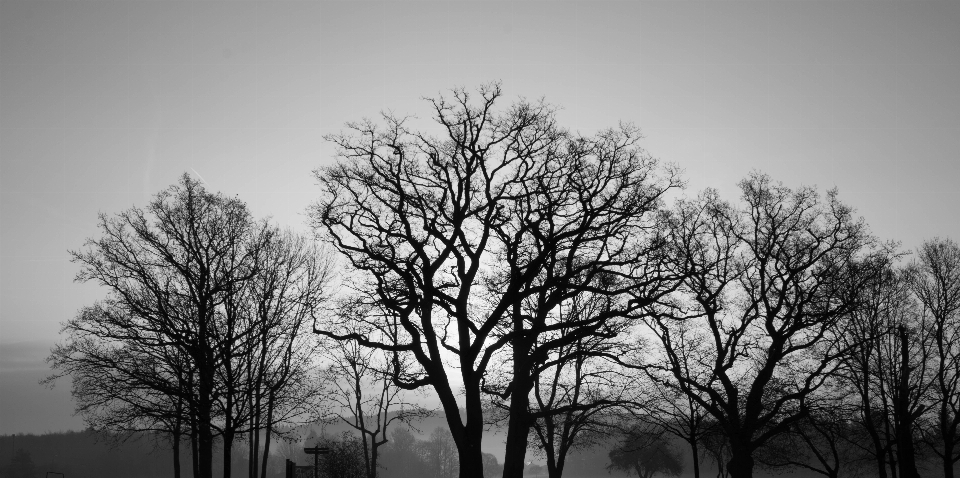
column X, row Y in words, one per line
column 173, row 329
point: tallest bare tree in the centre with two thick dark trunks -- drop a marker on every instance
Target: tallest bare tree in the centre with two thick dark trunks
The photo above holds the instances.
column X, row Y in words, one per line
column 452, row 236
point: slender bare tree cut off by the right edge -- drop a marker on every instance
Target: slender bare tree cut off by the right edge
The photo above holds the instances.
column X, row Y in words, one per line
column 935, row 279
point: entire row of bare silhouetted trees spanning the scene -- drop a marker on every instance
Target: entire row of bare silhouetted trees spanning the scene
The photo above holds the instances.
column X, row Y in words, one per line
column 555, row 286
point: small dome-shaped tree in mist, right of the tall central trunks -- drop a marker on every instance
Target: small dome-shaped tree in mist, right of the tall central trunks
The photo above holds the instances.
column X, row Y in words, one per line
column 646, row 453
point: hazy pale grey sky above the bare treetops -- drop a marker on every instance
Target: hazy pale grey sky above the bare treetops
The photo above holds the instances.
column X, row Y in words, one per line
column 102, row 104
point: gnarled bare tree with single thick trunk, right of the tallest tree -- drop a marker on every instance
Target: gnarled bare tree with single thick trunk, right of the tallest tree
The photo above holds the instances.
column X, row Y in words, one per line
column 770, row 285
